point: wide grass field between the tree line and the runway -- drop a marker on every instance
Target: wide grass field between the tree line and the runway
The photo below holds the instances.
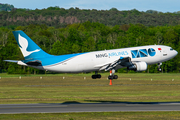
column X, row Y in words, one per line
column 74, row 88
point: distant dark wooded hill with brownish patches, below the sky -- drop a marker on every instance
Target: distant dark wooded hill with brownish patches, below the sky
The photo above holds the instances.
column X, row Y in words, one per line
column 60, row 17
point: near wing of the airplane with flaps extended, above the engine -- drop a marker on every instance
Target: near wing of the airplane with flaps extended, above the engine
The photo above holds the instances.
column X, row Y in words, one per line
column 121, row 61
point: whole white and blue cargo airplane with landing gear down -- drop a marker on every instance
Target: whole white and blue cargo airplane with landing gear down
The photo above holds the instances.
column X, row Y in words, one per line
column 134, row 58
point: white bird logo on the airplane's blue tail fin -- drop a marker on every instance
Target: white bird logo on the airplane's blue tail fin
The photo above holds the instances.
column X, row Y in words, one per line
column 24, row 45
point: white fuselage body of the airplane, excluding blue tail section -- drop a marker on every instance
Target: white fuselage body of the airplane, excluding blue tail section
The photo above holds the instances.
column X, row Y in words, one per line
column 94, row 61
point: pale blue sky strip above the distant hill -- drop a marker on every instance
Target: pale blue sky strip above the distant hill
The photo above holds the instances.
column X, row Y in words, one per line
column 141, row 5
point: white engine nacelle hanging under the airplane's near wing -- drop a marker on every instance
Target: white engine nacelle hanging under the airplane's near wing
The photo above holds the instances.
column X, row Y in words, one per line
column 138, row 66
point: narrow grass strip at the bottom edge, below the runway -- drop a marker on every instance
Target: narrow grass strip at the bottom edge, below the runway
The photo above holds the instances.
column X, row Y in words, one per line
column 96, row 116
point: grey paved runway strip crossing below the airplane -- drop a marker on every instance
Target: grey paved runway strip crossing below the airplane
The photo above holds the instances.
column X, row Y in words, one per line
column 88, row 107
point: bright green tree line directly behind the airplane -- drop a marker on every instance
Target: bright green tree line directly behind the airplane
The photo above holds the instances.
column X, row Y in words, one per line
column 86, row 37
